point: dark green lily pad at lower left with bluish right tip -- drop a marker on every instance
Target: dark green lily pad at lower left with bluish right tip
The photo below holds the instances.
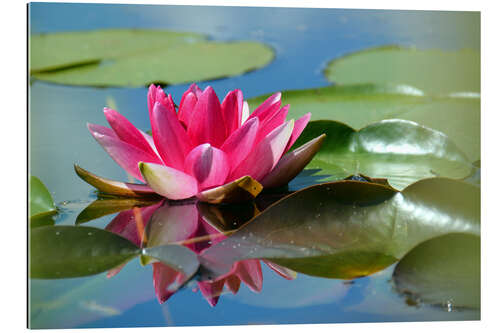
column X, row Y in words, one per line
column 72, row 251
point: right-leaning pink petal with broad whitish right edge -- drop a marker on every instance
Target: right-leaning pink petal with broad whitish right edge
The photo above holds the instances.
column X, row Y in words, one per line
column 265, row 155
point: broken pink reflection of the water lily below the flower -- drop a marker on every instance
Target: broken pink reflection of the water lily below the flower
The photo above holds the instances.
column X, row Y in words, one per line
column 197, row 226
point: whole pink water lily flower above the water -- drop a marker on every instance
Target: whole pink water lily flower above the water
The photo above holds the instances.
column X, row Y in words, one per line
column 203, row 147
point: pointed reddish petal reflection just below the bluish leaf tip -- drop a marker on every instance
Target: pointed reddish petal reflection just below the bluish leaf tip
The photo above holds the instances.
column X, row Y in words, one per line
column 166, row 281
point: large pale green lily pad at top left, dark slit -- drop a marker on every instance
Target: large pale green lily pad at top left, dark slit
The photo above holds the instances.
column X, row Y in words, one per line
column 140, row 57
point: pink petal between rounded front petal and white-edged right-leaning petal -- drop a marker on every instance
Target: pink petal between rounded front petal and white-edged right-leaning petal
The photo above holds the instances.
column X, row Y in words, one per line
column 239, row 144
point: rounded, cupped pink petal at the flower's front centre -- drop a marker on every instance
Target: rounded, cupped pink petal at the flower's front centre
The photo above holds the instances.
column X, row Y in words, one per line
column 208, row 165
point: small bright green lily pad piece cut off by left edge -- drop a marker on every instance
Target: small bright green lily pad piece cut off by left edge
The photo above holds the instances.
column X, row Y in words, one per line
column 40, row 201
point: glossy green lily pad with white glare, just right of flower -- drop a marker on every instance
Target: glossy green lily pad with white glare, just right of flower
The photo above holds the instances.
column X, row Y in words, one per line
column 399, row 150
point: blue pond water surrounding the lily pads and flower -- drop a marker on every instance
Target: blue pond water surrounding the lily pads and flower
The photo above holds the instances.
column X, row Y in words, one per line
column 304, row 40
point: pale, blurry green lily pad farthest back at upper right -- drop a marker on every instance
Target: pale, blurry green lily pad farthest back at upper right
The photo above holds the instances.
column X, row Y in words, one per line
column 431, row 71
